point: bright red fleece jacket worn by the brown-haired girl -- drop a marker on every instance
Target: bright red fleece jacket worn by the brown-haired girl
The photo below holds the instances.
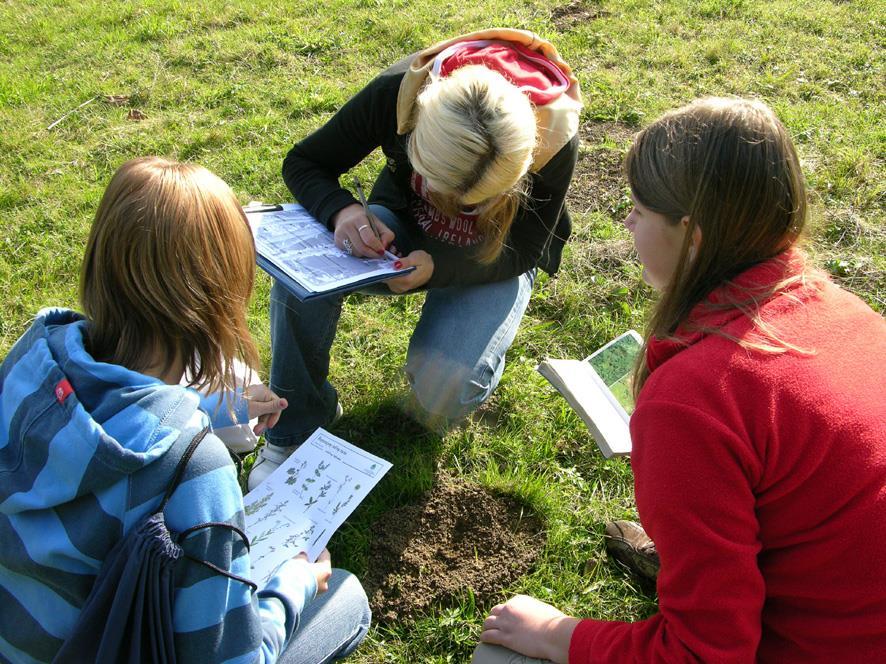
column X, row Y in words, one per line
column 762, row 480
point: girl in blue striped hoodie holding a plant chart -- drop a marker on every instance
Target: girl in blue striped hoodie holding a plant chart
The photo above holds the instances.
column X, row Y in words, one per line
column 94, row 423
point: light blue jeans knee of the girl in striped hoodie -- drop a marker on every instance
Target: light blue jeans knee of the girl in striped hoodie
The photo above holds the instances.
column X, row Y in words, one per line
column 332, row 626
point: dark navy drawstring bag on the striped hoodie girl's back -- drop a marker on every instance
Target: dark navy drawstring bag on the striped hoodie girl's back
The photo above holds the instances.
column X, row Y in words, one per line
column 128, row 614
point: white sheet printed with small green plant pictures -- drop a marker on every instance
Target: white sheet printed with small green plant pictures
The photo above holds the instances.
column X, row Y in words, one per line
column 302, row 503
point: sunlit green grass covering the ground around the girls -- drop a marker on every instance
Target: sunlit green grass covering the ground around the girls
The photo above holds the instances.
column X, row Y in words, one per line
column 233, row 84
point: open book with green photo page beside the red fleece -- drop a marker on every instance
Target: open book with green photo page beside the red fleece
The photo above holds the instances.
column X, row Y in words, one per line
column 599, row 389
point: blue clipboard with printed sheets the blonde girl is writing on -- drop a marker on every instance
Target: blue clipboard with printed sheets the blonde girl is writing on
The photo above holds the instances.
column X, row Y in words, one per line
column 300, row 252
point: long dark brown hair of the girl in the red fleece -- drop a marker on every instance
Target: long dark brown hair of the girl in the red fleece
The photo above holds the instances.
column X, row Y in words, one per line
column 730, row 166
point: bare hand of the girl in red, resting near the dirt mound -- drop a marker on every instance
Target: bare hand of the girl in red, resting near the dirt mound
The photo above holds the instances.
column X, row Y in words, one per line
column 530, row 627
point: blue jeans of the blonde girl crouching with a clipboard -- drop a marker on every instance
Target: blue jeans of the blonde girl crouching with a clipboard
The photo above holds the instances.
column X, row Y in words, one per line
column 455, row 359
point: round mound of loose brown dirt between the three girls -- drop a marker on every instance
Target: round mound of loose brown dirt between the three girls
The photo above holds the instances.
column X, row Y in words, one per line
column 459, row 537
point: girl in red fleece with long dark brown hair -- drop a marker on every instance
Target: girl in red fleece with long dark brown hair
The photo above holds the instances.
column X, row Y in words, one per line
column 760, row 429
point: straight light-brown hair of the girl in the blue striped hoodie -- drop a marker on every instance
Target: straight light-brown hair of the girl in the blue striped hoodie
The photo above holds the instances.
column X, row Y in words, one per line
column 168, row 272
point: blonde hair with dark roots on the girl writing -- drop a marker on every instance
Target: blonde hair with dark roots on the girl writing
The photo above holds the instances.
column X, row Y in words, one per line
column 473, row 142
